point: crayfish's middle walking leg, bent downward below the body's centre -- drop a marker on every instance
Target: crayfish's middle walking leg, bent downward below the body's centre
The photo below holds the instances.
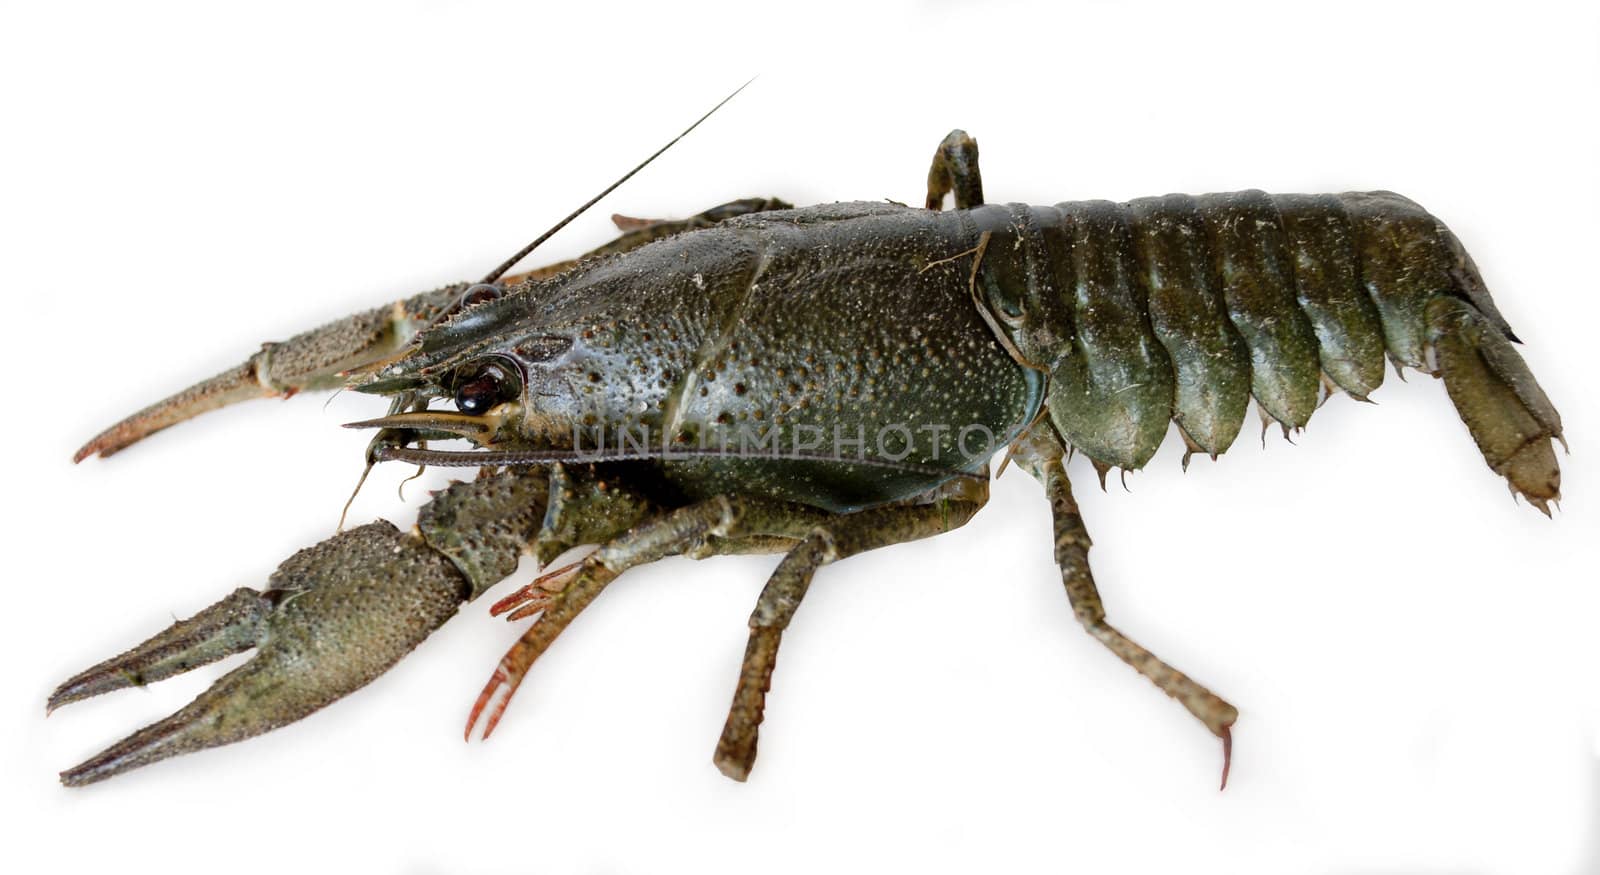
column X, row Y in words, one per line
column 831, row 541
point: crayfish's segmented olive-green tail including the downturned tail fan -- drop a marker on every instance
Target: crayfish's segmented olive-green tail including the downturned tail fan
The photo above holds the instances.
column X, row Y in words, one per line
column 1185, row 308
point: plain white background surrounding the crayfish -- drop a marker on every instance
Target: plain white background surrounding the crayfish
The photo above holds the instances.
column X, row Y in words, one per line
column 1414, row 655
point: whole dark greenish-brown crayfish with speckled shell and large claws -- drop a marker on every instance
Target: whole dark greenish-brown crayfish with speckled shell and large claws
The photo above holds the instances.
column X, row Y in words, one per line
column 817, row 383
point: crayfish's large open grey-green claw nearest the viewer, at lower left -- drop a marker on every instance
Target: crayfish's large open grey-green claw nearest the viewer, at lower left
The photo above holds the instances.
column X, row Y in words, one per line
column 334, row 618
